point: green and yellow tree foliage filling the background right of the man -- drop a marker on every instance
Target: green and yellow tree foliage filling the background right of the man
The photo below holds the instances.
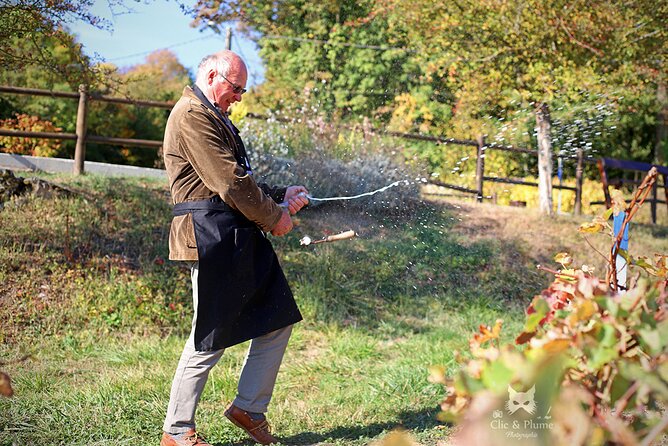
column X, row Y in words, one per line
column 466, row 68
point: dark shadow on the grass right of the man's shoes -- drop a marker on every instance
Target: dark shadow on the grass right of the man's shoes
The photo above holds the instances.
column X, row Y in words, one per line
column 408, row 420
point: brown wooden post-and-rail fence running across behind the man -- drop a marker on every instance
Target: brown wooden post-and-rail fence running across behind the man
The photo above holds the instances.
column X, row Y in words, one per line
column 81, row 137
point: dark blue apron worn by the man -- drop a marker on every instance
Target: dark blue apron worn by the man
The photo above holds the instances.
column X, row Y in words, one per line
column 242, row 291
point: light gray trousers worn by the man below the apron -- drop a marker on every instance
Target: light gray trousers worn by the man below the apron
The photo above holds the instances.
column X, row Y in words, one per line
column 255, row 386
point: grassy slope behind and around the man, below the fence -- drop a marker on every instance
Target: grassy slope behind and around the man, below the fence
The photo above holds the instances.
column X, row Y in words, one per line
column 86, row 290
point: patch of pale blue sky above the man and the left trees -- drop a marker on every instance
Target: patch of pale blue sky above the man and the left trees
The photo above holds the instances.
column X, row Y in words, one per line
column 157, row 25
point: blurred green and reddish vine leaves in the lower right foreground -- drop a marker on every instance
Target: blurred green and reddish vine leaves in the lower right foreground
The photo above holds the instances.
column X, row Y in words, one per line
column 595, row 359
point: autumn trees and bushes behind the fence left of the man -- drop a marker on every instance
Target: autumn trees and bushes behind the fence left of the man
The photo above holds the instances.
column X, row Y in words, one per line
column 161, row 78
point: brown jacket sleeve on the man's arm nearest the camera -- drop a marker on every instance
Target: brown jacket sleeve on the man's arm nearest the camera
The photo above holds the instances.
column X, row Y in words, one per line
column 209, row 151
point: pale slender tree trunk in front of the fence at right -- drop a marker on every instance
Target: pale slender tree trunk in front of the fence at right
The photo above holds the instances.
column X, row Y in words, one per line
column 544, row 158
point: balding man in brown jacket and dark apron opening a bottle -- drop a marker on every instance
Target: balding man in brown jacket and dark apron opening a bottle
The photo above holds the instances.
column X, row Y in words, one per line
column 220, row 219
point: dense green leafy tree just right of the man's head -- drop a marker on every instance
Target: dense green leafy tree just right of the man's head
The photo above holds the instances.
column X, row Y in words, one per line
column 329, row 53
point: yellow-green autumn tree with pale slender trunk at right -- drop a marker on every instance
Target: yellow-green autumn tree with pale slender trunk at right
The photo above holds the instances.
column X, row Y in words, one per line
column 541, row 52
